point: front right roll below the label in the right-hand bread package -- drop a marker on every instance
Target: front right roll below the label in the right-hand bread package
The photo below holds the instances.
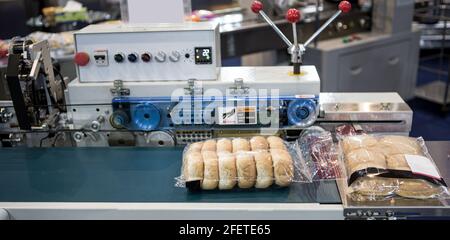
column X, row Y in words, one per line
column 418, row 189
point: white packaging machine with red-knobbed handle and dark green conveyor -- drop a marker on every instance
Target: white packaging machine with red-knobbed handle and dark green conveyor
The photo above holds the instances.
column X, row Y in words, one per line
column 109, row 144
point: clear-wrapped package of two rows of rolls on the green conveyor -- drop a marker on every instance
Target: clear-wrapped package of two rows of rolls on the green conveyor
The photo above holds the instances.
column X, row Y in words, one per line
column 260, row 162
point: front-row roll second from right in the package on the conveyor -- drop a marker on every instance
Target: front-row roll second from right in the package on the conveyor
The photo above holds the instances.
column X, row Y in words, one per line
column 264, row 169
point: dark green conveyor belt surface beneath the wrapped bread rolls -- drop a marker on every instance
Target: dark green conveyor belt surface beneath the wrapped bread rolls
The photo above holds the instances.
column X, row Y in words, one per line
column 125, row 175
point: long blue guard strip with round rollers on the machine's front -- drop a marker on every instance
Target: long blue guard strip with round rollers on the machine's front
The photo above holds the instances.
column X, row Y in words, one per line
column 148, row 114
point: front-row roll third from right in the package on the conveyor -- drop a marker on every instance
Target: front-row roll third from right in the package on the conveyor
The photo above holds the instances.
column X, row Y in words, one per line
column 246, row 170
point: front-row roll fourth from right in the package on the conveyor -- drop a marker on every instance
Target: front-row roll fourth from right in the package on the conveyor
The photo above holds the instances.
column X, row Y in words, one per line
column 227, row 171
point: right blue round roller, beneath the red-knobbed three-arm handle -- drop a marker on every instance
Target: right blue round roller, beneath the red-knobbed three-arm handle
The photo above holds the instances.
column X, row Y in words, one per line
column 302, row 112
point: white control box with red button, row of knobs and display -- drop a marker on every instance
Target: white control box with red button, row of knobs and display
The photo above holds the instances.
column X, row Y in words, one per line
column 153, row 52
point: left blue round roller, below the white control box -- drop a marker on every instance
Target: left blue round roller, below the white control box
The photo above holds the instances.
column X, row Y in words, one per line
column 146, row 117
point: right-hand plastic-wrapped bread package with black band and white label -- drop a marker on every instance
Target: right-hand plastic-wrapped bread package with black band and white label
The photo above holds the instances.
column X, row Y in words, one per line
column 385, row 167
